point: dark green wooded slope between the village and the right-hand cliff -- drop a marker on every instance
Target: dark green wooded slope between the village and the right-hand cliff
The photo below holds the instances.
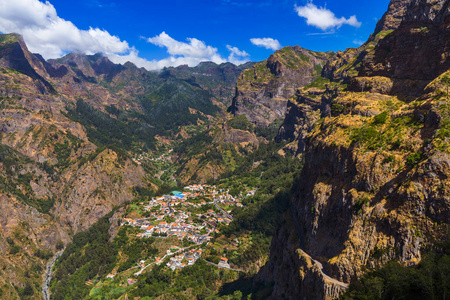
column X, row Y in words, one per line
column 275, row 177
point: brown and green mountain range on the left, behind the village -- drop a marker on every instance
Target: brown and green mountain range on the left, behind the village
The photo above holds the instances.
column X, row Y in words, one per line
column 69, row 129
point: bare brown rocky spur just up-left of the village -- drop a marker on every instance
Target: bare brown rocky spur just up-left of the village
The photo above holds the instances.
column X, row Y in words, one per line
column 94, row 189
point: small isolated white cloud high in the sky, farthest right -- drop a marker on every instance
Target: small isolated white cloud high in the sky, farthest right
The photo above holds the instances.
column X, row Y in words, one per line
column 323, row 18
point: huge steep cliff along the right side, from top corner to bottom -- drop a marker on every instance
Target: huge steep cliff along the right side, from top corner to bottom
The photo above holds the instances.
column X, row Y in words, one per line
column 377, row 164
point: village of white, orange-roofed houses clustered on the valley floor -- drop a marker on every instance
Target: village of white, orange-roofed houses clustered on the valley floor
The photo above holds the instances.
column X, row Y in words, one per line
column 192, row 215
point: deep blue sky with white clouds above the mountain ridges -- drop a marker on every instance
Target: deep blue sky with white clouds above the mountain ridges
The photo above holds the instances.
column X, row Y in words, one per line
column 154, row 34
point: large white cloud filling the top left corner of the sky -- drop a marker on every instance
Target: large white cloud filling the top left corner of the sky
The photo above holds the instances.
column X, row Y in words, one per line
column 52, row 36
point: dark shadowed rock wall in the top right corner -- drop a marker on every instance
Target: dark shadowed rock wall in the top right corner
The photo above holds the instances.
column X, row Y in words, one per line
column 423, row 32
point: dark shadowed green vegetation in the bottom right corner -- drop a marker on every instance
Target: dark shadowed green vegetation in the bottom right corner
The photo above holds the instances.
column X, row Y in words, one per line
column 430, row 279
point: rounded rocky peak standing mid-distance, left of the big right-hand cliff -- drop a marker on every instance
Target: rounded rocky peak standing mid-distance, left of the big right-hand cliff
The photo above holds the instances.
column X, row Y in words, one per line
column 262, row 92
